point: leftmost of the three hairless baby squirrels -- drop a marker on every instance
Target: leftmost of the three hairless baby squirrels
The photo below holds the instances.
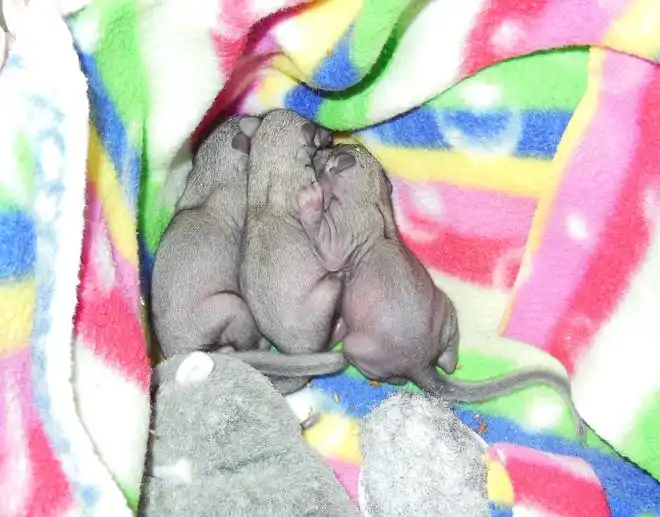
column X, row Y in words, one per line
column 195, row 297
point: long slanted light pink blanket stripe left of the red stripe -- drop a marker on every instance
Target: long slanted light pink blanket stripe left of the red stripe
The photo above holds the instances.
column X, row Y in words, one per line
column 585, row 199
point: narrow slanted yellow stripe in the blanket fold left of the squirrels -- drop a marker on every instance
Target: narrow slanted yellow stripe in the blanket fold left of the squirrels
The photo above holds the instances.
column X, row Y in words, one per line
column 120, row 221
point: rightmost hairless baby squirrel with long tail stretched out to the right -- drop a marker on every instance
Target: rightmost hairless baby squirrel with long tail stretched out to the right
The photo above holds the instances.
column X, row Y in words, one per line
column 398, row 325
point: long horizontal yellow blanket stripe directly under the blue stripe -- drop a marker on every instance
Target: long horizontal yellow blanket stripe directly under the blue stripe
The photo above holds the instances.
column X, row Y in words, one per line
column 525, row 177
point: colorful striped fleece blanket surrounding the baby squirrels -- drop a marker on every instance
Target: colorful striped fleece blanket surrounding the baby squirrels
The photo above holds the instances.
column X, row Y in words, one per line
column 528, row 188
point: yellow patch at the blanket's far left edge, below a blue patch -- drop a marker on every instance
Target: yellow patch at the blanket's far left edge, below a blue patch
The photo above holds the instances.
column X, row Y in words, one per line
column 17, row 301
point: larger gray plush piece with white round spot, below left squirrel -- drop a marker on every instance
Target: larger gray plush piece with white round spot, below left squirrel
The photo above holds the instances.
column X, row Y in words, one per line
column 227, row 444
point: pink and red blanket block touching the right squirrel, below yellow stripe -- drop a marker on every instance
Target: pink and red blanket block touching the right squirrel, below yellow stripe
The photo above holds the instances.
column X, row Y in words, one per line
column 434, row 224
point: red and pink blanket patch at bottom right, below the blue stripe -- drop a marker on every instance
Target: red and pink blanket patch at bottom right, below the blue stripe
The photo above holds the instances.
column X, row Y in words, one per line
column 558, row 485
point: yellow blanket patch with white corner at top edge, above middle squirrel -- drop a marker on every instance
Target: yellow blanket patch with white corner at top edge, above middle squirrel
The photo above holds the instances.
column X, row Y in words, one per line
column 309, row 37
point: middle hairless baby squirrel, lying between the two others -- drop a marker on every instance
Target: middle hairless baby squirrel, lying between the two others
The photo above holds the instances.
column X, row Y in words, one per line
column 292, row 296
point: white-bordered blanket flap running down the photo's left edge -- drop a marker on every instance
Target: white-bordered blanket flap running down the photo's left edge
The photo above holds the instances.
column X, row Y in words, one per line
column 49, row 463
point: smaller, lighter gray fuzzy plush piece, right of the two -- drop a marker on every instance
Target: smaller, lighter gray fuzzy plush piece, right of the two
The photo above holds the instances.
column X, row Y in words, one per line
column 420, row 459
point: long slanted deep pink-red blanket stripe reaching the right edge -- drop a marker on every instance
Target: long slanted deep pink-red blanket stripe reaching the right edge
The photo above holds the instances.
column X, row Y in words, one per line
column 623, row 245
